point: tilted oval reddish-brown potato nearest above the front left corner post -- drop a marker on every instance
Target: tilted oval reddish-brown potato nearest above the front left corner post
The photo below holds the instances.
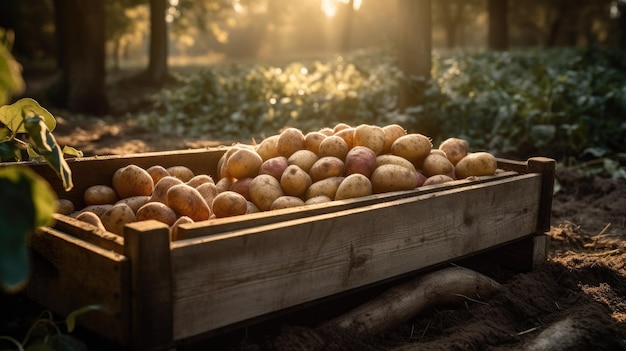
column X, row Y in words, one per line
column 187, row 201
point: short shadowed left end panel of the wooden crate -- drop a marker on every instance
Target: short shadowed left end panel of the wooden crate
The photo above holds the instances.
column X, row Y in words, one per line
column 68, row 273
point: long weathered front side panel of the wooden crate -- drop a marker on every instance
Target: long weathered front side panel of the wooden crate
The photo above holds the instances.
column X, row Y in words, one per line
column 235, row 276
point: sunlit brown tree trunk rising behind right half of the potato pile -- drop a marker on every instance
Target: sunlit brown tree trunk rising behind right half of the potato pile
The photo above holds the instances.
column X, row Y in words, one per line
column 414, row 50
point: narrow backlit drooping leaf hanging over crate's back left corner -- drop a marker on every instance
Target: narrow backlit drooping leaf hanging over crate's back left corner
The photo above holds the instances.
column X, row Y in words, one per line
column 46, row 146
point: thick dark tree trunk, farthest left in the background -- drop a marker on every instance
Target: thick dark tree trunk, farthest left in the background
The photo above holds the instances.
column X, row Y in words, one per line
column 81, row 87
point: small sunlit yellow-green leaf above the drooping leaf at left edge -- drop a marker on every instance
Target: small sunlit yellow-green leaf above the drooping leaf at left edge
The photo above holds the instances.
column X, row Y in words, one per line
column 13, row 116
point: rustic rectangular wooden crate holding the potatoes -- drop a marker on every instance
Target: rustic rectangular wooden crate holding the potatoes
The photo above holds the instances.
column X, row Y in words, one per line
column 231, row 271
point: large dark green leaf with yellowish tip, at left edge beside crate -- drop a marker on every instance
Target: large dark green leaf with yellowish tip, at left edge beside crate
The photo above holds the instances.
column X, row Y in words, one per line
column 28, row 202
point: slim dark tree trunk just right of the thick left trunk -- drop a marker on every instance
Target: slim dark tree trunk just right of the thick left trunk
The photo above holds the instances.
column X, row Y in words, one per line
column 157, row 72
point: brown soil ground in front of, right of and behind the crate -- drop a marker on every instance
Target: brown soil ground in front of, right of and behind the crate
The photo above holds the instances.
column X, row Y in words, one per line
column 581, row 288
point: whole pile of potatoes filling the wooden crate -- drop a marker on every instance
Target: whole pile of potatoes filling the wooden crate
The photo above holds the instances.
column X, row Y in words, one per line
column 285, row 170
